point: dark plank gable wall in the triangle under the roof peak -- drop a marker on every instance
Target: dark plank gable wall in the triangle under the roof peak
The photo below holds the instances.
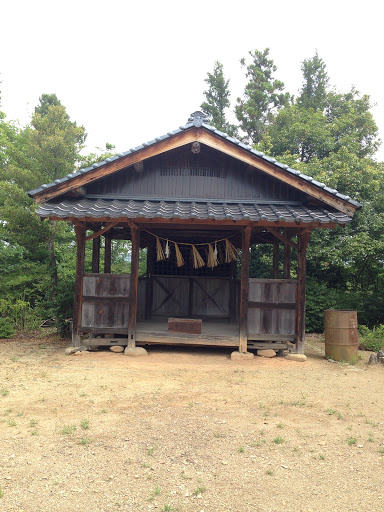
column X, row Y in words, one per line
column 179, row 174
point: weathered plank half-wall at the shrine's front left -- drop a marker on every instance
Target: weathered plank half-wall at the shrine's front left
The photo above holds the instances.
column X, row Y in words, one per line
column 105, row 301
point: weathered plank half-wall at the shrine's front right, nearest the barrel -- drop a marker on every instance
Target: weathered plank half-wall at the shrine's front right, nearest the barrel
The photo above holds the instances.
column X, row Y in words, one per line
column 272, row 308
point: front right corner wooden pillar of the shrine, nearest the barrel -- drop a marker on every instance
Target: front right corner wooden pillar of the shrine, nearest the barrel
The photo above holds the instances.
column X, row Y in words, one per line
column 303, row 240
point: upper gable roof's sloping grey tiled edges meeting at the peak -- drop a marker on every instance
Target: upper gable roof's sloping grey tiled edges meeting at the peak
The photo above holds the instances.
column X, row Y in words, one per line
column 197, row 122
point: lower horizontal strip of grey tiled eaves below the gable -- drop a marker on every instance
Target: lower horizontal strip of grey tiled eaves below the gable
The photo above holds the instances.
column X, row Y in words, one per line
column 190, row 210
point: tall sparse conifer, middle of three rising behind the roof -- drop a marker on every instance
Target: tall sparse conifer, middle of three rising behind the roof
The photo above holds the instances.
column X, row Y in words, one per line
column 263, row 96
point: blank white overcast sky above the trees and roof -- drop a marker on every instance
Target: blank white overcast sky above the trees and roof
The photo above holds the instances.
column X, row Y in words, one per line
column 130, row 71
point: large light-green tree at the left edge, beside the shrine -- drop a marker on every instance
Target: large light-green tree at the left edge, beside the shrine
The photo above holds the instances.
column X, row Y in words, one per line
column 40, row 153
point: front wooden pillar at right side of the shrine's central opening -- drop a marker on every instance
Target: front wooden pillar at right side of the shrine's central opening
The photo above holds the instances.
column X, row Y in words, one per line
column 244, row 288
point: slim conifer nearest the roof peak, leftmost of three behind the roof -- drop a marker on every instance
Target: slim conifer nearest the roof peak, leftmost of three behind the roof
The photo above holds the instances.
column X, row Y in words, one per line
column 217, row 99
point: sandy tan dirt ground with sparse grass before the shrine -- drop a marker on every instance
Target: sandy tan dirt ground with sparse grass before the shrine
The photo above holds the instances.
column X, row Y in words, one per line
column 187, row 430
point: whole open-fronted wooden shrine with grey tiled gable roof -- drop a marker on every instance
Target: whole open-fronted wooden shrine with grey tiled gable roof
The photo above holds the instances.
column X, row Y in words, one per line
column 193, row 198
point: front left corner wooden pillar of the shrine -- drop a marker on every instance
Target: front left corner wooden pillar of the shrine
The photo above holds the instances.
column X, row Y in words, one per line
column 76, row 325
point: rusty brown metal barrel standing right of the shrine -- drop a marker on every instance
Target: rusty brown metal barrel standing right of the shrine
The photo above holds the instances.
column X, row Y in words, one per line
column 341, row 338
